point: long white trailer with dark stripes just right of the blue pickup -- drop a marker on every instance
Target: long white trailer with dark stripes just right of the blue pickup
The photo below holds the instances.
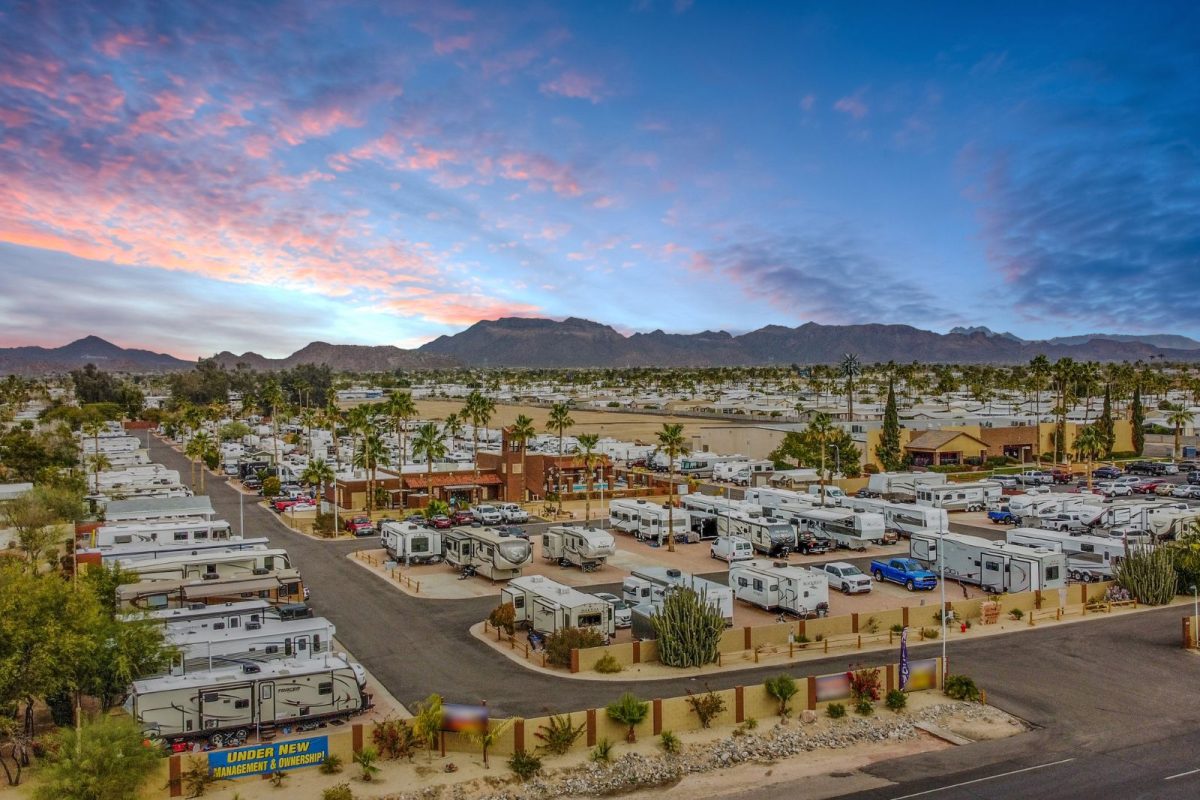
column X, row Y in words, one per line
column 997, row 567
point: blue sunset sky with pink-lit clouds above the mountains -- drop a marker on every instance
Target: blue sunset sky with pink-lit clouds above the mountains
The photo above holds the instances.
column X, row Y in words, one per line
column 195, row 178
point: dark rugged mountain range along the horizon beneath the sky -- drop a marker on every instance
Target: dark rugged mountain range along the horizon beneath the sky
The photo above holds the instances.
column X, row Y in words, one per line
column 573, row 342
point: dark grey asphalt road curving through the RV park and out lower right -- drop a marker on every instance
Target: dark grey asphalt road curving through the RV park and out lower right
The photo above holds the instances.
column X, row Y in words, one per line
column 1115, row 696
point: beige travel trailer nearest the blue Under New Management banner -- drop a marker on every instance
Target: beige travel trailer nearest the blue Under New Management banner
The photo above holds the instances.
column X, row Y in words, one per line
column 211, row 703
